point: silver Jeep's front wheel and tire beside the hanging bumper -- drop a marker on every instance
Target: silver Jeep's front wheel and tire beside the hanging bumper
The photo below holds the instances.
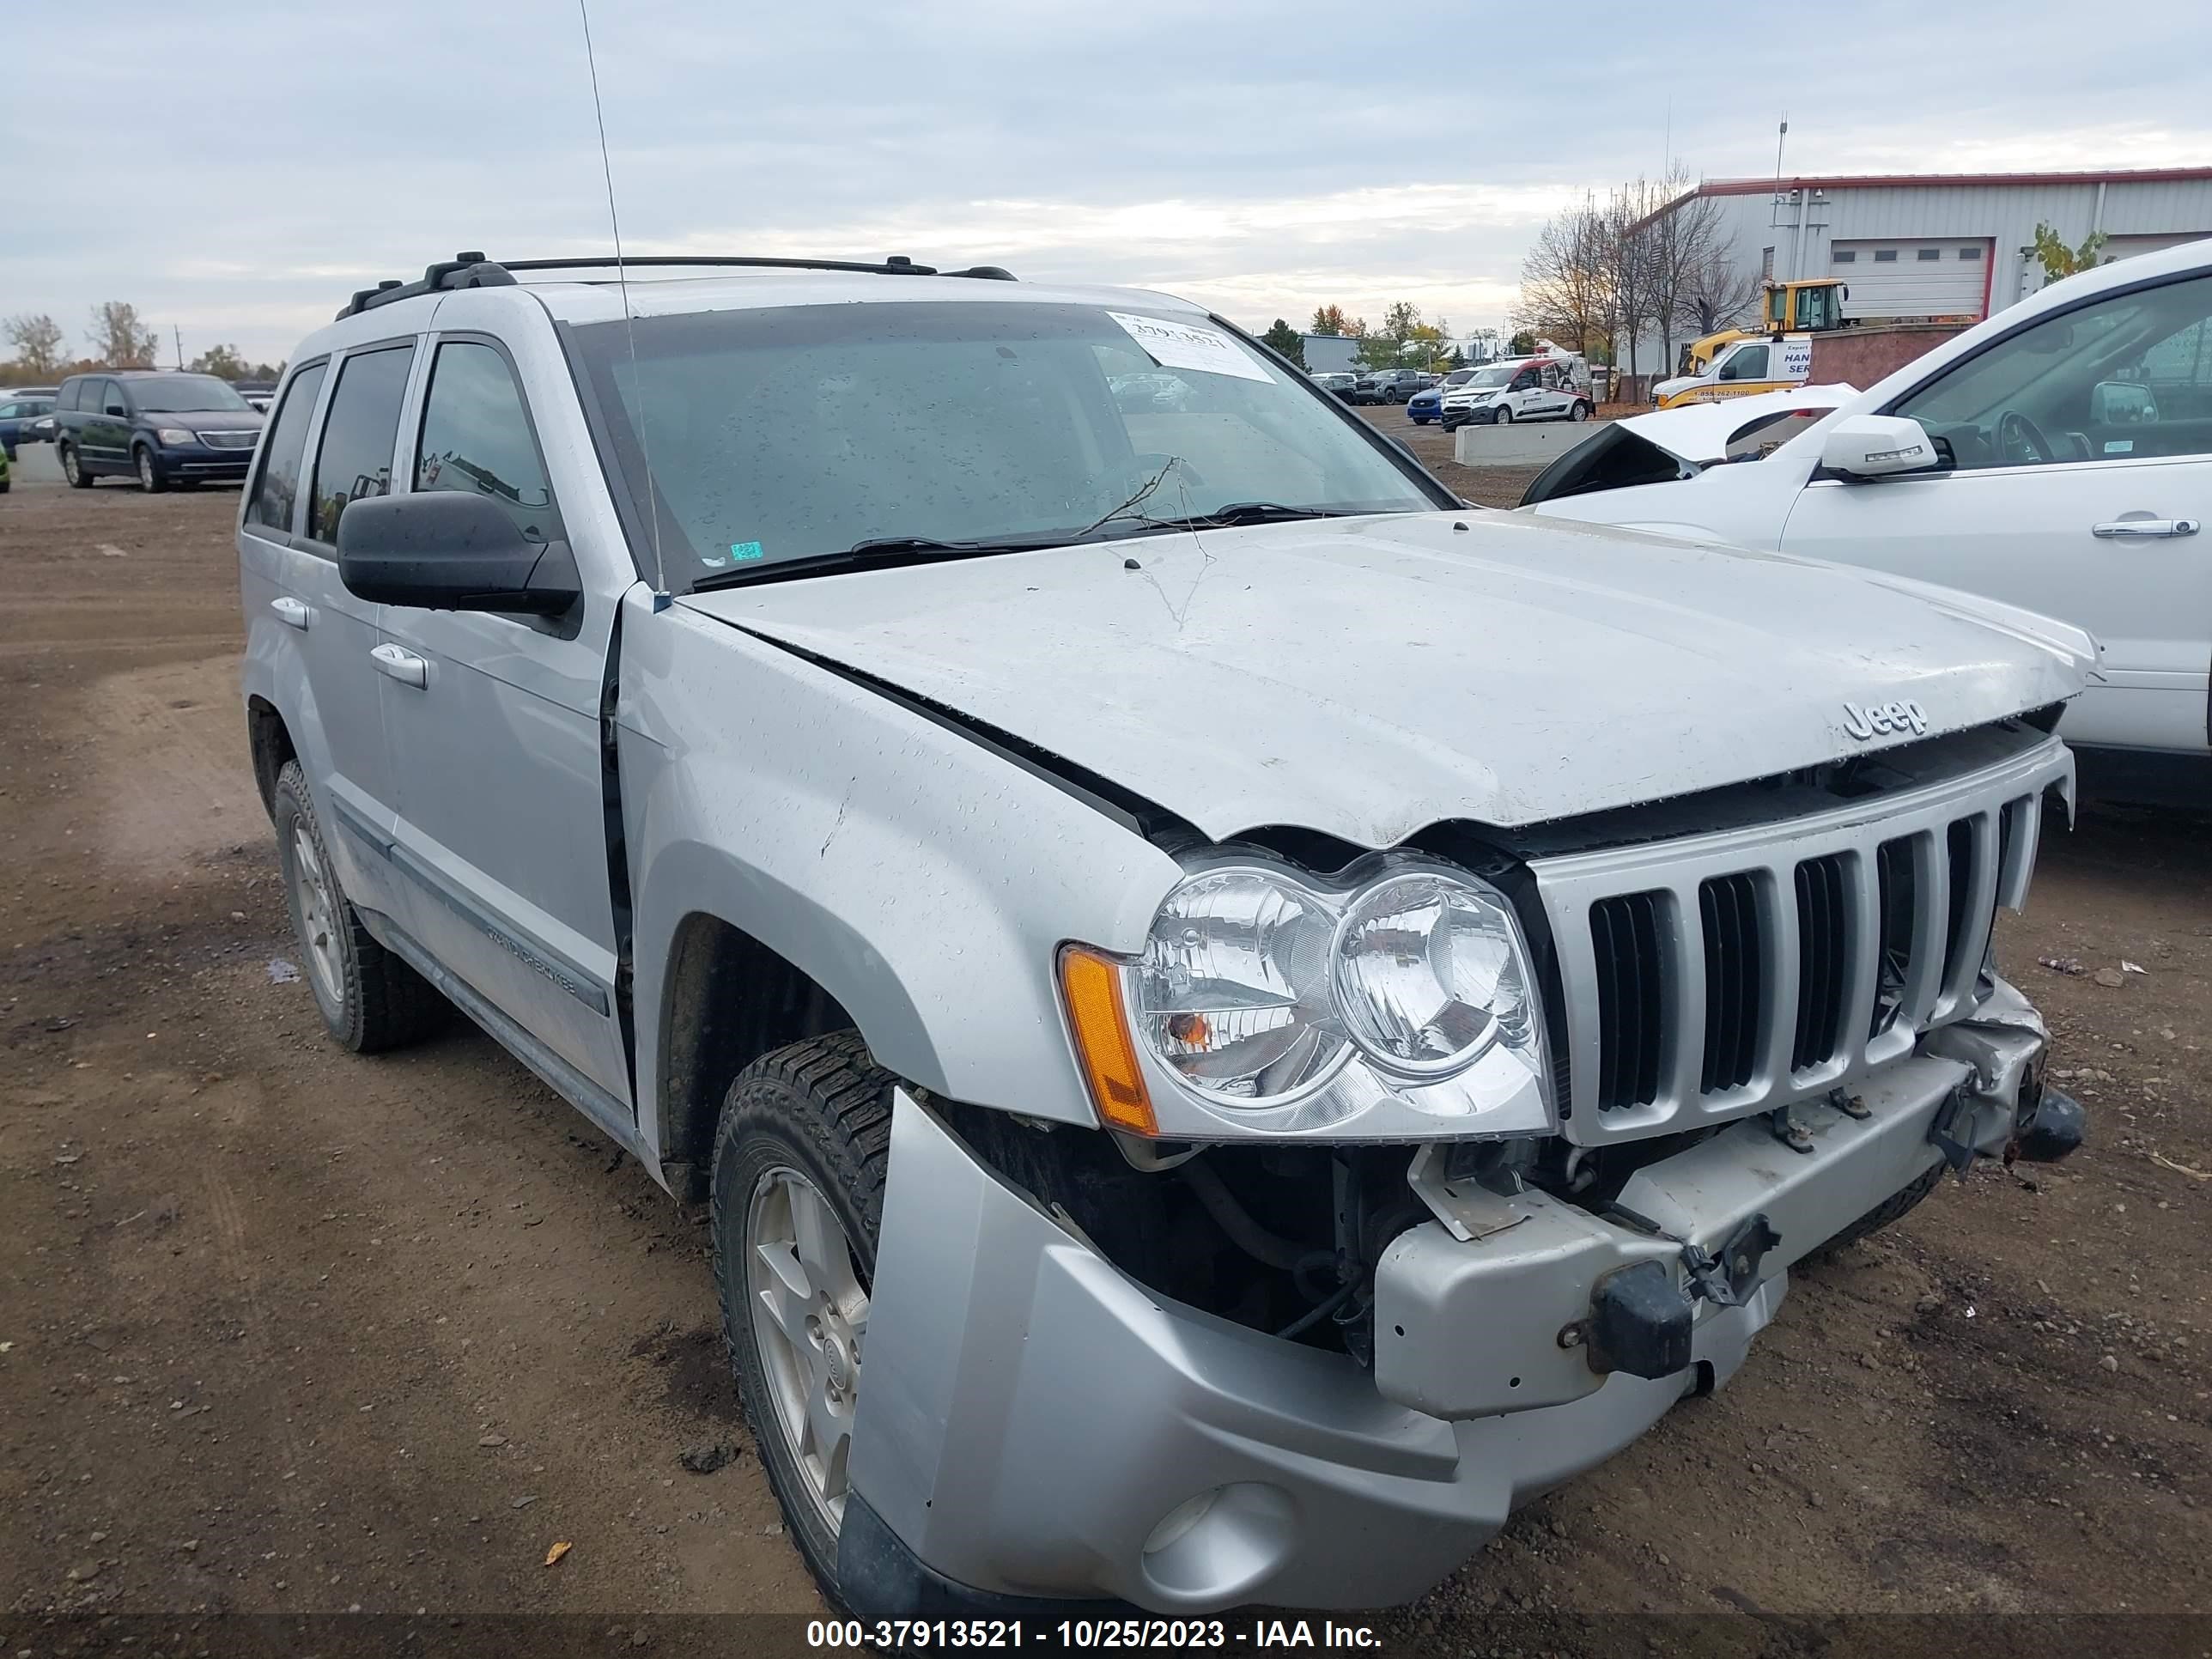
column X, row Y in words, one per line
column 800, row 1167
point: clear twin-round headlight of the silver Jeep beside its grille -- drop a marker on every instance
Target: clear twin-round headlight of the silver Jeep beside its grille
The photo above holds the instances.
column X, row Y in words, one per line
column 1392, row 1008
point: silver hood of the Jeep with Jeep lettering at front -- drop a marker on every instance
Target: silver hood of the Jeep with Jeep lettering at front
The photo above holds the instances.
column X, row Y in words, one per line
column 1375, row 676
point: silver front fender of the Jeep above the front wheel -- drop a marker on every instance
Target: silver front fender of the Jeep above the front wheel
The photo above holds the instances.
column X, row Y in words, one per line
column 917, row 875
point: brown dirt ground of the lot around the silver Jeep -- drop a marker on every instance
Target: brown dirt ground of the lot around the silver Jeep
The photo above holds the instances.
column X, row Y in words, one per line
column 284, row 1331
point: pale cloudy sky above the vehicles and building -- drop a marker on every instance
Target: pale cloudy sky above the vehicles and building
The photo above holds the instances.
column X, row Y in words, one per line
column 238, row 169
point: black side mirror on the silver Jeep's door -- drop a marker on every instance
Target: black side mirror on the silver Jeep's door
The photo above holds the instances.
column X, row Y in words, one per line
column 452, row 552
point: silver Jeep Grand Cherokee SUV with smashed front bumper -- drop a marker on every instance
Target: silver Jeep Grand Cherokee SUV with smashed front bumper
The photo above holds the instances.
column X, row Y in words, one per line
column 1240, row 1016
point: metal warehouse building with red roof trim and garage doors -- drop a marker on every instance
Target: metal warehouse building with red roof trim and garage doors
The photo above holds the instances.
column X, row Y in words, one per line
column 1945, row 244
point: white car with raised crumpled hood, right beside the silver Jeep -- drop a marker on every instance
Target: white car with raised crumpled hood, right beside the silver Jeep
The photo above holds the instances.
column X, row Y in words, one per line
column 2056, row 457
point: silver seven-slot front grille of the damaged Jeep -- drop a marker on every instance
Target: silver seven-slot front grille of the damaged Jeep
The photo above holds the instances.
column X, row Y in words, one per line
column 1724, row 974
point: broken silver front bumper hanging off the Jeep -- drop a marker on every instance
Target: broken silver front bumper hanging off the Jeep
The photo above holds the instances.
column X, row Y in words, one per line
column 1036, row 1423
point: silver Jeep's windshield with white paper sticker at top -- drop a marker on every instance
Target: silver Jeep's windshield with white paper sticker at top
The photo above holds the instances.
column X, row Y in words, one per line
column 795, row 432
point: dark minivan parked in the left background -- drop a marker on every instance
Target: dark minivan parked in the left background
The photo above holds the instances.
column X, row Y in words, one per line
column 156, row 426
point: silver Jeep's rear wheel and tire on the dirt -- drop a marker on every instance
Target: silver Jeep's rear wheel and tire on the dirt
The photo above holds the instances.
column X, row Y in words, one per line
column 368, row 997
